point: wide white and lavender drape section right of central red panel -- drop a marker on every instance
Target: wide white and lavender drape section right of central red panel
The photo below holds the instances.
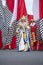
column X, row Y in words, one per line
column 32, row 7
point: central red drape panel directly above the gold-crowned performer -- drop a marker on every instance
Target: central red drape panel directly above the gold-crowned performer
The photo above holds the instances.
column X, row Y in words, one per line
column 21, row 9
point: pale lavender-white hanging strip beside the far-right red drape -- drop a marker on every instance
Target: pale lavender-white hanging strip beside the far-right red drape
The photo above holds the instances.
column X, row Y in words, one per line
column 36, row 9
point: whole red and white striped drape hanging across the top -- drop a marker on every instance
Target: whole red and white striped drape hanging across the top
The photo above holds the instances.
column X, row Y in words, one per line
column 33, row 8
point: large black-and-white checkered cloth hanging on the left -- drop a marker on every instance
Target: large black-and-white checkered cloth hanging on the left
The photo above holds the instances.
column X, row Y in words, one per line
column 4, row 24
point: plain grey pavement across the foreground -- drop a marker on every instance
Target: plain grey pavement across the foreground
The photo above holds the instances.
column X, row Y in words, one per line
column 12, row 57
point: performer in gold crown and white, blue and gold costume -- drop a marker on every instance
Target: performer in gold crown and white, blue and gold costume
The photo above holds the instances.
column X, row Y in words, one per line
column 23, row 34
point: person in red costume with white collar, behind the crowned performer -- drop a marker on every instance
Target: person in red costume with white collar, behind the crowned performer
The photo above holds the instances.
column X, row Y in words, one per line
column 33, row 31
